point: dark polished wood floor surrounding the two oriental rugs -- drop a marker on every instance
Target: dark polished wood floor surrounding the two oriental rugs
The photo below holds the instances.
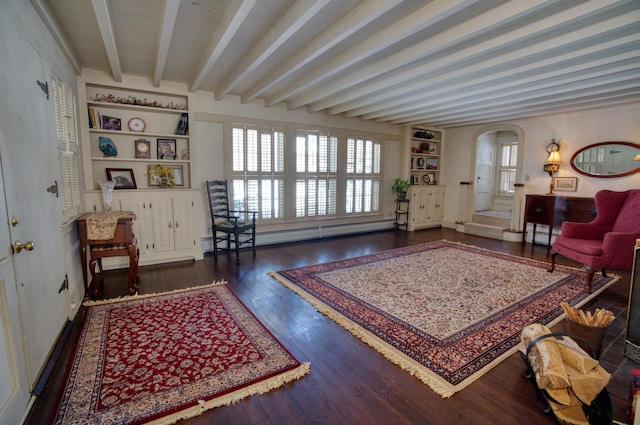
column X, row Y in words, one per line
column 350, row 383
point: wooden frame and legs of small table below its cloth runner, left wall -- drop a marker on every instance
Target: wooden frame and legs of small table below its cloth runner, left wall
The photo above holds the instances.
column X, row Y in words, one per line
column 98, row 252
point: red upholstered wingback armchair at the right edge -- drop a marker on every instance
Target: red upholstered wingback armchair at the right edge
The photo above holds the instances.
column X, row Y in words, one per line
column 607, row 242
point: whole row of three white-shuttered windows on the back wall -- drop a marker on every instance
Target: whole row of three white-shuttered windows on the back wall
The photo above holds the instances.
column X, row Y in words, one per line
column 327, row 177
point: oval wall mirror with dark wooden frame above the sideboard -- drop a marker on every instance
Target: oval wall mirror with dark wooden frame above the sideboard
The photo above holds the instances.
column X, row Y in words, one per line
column 607, row 159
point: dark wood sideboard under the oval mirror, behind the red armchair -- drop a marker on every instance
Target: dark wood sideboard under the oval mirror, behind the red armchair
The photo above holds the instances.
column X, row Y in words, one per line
column 552, row 210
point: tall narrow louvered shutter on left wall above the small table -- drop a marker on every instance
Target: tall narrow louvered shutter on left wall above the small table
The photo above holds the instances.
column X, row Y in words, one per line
column 65, row 128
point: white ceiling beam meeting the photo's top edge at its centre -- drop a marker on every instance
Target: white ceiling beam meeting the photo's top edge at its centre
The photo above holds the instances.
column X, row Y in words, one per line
column 286, row 28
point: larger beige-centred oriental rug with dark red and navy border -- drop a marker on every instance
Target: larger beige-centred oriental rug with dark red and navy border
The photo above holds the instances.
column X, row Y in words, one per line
column 443, row 311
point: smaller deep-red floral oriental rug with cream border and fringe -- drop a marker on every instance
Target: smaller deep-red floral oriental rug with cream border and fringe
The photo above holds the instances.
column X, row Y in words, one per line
column 162, row 358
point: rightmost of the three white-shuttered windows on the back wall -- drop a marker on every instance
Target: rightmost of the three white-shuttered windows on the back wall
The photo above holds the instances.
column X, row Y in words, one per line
column 362, row 191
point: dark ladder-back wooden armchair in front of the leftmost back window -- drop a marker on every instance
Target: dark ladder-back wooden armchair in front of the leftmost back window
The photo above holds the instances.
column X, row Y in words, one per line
column 238, row 227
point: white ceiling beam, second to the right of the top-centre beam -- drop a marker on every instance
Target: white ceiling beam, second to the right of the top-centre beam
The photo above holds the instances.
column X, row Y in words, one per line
column 434, row 12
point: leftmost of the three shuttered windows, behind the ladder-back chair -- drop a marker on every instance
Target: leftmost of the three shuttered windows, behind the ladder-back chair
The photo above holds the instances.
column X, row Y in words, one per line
column 258, row 170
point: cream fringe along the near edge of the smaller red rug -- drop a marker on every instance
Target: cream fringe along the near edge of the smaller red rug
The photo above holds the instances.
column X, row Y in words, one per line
column 235, row 396
